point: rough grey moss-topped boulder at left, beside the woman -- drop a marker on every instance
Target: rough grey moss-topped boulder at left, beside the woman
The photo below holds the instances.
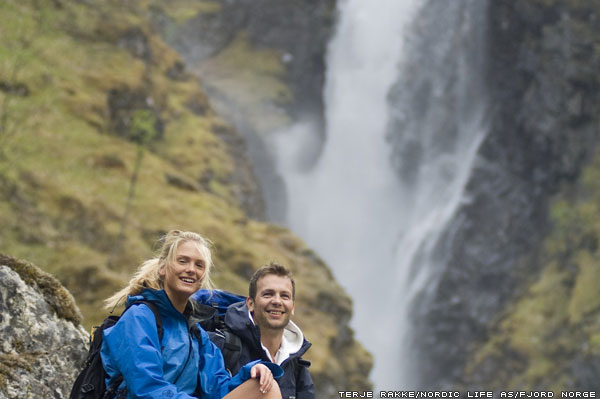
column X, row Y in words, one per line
column 43, row 344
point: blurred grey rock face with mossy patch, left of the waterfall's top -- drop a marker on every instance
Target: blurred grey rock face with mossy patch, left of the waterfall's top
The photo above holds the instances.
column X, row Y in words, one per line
column 263, row 65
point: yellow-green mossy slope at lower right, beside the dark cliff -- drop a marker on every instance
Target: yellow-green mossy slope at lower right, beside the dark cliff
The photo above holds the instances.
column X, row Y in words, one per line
column 555, row 325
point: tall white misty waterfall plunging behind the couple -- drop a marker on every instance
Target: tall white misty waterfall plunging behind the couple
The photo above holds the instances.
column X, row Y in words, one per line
column 405, row 109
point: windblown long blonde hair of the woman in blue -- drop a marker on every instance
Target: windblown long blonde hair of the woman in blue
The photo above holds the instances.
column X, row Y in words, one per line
column 147, row 275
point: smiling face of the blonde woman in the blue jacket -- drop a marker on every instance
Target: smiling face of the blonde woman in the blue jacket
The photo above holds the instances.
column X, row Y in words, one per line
column 183, row 277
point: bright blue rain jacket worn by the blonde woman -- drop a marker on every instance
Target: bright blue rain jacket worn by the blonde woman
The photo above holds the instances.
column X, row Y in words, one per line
column 172, row 368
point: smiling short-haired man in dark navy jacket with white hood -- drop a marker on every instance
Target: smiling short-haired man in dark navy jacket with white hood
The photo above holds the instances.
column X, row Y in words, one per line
column 266, row 332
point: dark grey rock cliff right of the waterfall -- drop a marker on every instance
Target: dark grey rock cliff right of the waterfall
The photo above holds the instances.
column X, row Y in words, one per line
column 544, row 84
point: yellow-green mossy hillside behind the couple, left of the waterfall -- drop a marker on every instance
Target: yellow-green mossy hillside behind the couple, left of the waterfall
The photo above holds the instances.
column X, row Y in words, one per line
column 85, row 88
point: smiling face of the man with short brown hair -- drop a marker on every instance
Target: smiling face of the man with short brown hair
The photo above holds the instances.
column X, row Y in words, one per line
column 273, row 305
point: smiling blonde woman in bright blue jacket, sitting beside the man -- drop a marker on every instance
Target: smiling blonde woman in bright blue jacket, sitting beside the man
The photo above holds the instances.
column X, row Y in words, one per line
column 183, row 364
